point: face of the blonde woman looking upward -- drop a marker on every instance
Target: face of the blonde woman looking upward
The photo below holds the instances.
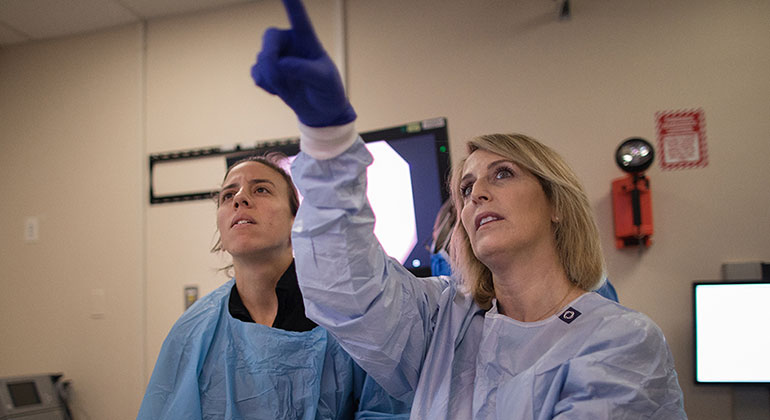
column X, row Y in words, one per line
column 505, row 211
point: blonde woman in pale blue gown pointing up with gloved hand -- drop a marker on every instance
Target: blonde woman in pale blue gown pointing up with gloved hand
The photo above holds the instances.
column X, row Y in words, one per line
column 516, row 335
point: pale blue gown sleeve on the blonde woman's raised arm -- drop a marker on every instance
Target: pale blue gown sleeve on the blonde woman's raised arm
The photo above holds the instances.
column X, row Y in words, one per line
column 381, row 314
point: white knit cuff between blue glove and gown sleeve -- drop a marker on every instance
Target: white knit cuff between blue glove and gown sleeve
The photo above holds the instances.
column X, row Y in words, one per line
column 326, row 142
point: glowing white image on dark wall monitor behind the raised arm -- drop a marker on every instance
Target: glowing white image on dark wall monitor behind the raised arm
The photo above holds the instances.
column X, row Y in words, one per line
column 389, row 190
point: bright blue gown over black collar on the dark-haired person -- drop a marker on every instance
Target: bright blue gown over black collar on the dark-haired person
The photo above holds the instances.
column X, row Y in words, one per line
column 212, row 366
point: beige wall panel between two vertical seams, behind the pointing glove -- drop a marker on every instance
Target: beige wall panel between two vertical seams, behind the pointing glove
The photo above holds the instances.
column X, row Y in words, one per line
column 200, row 93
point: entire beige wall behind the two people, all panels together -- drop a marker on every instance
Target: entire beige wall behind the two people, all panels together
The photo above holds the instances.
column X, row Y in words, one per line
column 79, row 116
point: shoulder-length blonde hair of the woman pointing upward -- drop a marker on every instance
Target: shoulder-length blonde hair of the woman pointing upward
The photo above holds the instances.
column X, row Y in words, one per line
column 575, row 232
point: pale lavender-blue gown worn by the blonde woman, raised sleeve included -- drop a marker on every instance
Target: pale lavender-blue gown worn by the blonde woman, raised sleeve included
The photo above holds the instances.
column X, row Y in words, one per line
column 427, row 339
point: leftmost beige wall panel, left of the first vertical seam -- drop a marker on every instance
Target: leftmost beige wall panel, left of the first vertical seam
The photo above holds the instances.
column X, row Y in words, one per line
column 71, row 155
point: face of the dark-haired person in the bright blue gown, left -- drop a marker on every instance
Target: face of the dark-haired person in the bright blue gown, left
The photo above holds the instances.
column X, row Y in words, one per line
column 254, row 216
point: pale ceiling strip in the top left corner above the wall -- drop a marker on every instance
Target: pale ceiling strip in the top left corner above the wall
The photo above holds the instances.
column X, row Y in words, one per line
column 28, row 20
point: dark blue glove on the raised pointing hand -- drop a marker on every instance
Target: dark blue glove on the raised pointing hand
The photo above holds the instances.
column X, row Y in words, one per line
column 294, row 66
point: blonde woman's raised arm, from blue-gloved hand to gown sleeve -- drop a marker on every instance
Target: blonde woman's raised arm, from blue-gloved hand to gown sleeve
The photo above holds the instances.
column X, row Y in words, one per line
column 381, row 314
